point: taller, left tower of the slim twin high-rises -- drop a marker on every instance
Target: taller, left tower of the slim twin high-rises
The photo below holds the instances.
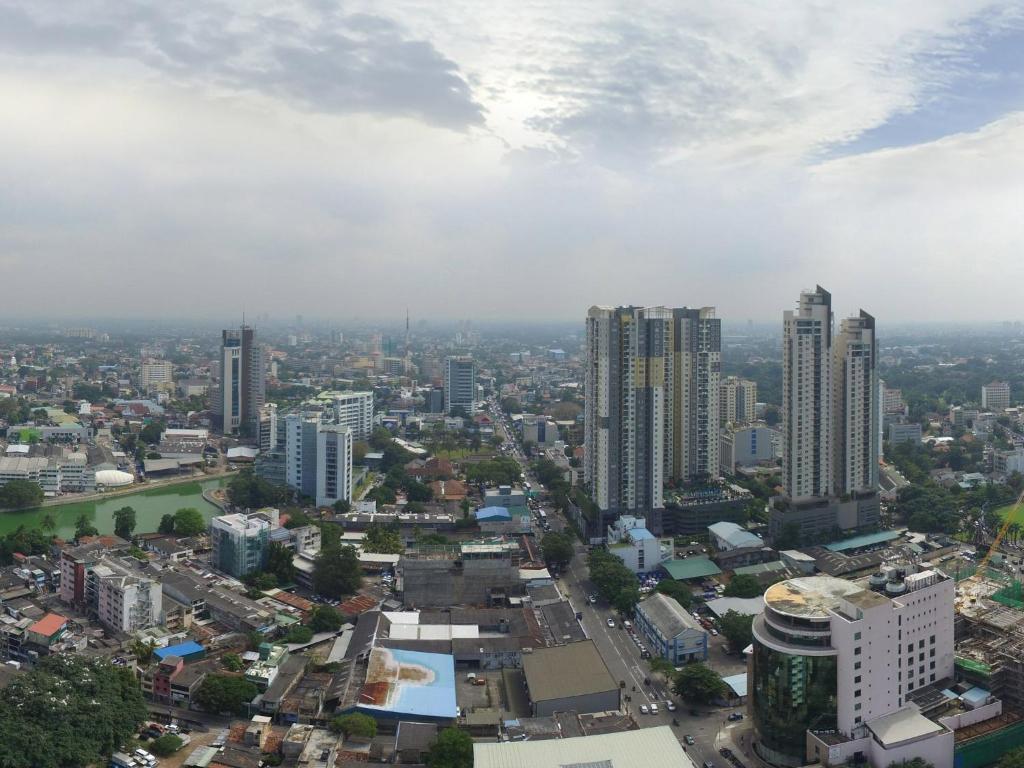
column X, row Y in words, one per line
column 807, row 396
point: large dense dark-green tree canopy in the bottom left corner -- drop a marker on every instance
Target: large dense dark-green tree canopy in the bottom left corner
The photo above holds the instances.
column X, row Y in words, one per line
column 68, row 712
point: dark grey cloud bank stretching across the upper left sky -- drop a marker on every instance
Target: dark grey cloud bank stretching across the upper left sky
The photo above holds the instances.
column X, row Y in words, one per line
column 335, row 63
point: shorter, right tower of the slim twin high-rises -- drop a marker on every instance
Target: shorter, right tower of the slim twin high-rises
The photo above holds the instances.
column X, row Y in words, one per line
column 857, row 407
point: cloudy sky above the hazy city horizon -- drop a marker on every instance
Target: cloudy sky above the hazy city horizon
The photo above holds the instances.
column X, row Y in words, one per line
column 510, row 160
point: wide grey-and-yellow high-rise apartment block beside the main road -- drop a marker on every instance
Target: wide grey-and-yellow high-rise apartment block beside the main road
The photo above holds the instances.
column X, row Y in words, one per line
column 652, row 404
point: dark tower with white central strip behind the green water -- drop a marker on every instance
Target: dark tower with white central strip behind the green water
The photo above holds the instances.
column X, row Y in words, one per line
column 243, row 381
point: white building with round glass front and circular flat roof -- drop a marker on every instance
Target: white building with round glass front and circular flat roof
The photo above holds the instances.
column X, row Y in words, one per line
column 836, row 664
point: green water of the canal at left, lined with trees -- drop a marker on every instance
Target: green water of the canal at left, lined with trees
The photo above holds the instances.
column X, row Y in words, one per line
column 150, row 506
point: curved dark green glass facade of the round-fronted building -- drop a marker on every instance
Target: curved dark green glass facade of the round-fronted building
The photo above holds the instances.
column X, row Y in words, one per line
column 792, row 694
